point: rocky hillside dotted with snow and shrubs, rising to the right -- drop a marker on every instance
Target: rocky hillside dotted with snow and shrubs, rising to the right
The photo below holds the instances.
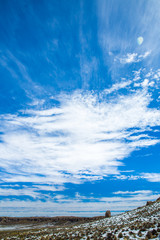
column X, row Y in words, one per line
column 141, row 223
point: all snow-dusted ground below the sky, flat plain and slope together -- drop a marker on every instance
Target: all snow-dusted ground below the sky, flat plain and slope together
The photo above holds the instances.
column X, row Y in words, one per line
column 141, row 223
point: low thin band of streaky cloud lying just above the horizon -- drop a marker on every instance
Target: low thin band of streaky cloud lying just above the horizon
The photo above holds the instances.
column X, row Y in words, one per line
column 76, row 206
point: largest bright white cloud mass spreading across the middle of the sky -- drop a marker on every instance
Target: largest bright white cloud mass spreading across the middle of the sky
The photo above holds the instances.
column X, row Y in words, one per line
column 83, row 139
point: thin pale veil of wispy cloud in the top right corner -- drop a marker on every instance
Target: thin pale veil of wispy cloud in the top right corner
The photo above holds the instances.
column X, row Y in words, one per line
column 139, row 19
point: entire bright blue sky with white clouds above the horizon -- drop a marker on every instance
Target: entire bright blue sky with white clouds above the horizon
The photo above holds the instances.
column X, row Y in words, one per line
column 79, row 106
